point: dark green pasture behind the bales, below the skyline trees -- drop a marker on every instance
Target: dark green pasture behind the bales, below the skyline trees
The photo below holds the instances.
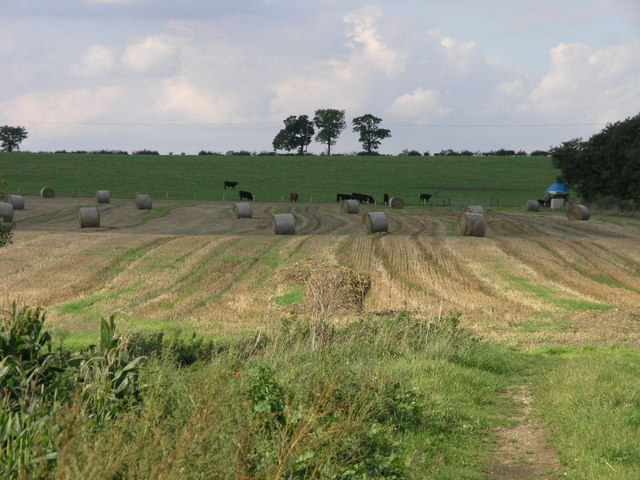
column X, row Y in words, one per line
column 509, row 180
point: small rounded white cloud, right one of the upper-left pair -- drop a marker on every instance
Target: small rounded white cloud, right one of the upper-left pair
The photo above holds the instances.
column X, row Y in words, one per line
column 153, row 54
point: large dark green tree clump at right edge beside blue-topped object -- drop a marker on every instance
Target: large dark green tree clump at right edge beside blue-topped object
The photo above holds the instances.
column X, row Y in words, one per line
column 608, row 164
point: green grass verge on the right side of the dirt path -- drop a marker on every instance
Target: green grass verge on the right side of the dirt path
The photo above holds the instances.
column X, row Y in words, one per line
column 591, row 402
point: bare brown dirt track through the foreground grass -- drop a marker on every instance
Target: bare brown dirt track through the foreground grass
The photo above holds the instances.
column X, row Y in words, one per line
column 522, row 451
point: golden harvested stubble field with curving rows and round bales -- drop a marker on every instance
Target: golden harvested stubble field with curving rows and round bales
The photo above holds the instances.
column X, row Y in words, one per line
column 535, row 279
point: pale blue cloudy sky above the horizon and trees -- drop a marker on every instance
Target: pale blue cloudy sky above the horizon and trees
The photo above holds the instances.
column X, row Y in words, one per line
column 219, row 75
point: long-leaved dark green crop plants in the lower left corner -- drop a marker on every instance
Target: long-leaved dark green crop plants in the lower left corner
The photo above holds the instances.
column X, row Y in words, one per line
column 36, row 381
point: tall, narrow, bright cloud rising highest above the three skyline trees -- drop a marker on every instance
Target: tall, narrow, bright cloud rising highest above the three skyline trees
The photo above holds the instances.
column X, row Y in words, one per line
column 365, row 33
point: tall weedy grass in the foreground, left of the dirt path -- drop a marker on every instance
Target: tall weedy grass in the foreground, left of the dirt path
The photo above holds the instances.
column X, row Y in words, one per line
column 391, row 397
